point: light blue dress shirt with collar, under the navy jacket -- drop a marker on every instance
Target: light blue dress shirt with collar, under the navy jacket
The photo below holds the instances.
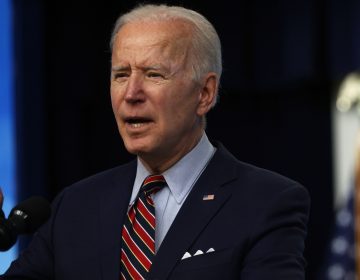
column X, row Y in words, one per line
column 180, row 179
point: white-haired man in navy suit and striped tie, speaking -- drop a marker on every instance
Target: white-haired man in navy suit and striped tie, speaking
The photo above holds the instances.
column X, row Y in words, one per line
column 216, row 217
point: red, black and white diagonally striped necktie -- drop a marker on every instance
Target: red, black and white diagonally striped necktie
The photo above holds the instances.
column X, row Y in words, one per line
column 138, row 233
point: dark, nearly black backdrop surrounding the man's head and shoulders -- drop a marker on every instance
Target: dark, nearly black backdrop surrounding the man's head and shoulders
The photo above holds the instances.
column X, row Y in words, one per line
column 281, row 60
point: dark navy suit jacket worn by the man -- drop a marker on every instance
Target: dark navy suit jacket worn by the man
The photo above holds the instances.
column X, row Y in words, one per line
column 256, row 224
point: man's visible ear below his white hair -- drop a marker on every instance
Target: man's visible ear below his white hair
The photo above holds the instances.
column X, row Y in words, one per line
column 207, row 95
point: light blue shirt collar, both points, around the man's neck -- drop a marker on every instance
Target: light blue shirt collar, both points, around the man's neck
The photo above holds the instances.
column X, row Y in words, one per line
column 181, row 177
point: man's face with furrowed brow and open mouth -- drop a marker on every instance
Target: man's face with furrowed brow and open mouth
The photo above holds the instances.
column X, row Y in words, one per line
column 154, row 98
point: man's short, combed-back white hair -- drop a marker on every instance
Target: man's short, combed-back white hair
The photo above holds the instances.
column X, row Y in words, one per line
column 206, row 46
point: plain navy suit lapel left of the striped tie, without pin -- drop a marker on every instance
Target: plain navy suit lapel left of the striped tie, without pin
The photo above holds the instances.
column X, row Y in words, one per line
column 113, row 208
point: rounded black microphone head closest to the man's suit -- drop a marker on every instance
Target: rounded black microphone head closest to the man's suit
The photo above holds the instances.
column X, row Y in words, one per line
column 30, row 214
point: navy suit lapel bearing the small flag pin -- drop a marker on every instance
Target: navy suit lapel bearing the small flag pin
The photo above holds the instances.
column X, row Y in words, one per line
column 195, row 214
